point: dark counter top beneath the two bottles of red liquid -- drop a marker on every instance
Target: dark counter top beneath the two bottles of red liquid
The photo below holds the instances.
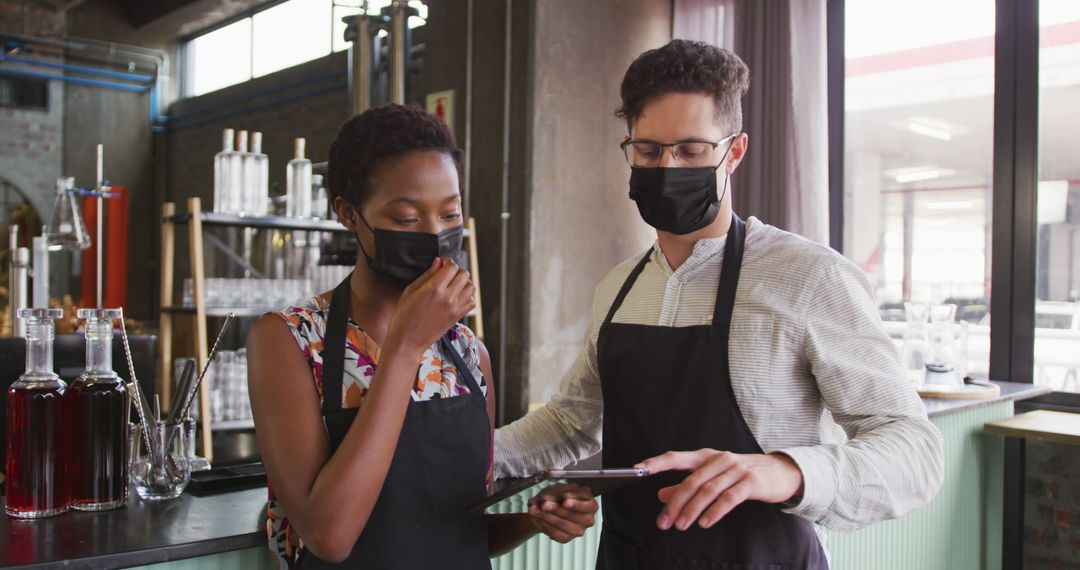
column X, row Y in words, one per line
column 140, row 534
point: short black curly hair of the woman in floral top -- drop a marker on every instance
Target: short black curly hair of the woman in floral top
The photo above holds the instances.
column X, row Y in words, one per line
column 368, row 140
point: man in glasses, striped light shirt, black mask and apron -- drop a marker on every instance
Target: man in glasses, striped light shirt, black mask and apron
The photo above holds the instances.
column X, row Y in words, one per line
column 748, row 357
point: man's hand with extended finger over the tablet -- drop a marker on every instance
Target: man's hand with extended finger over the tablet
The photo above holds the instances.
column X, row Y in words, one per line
column 721, row 482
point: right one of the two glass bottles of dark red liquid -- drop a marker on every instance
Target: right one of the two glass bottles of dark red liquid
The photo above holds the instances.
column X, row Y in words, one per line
column 100, row 408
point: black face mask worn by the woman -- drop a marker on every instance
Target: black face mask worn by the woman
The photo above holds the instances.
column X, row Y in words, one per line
column 401, row 257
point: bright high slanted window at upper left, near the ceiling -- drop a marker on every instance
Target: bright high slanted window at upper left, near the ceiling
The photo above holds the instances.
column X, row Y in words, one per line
column 272, row 39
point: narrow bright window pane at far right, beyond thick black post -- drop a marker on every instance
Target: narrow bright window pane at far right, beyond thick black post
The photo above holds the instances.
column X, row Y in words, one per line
column 1058, row 262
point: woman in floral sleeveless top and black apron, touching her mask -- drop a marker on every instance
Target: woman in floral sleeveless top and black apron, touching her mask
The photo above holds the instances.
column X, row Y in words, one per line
column 373, row 405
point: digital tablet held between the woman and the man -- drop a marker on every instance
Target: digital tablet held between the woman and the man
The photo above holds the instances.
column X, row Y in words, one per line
column 512, row 496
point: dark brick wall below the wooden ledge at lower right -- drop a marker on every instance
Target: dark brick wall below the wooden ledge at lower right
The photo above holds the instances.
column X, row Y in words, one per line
column 1052, row 508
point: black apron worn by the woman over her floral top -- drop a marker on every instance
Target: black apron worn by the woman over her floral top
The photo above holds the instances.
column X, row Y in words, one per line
column 421, row 520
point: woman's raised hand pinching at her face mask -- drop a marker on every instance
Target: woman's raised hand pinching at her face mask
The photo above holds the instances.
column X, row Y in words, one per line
column 430, row 306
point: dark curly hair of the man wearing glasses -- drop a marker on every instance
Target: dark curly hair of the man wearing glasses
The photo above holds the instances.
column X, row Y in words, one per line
column 686, row 66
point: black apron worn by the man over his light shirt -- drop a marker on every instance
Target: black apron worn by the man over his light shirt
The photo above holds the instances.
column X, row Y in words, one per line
column 670, row 389
